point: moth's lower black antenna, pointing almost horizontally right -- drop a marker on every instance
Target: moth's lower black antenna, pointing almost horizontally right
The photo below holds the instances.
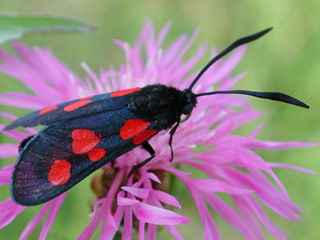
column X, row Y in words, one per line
column 276, row 96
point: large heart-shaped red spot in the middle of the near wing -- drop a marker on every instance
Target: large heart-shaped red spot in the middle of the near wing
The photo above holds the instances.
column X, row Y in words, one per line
column 84, row 140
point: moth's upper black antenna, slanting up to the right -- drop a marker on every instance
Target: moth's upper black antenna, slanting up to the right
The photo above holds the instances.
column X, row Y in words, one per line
column 232, row 46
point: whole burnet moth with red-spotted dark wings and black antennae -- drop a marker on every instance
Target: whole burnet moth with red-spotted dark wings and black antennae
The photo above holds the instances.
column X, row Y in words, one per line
column 85, row 134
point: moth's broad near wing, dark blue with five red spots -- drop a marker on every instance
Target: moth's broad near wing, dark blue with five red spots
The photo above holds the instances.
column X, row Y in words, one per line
column 64, row 153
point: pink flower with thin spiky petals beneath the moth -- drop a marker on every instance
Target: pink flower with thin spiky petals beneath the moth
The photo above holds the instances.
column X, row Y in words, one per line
column 227, row 160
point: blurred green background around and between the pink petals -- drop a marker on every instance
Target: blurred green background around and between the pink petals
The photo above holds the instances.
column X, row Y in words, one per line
column 286, row 60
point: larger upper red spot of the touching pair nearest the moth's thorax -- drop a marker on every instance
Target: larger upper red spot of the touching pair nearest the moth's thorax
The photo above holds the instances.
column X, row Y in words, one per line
column 132, row 128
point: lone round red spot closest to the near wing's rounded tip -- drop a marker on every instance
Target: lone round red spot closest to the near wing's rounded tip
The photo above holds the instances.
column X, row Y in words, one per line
column 59, row 172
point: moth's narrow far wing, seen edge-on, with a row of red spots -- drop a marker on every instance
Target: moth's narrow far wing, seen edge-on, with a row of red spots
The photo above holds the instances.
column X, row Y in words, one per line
column 76, row 108
